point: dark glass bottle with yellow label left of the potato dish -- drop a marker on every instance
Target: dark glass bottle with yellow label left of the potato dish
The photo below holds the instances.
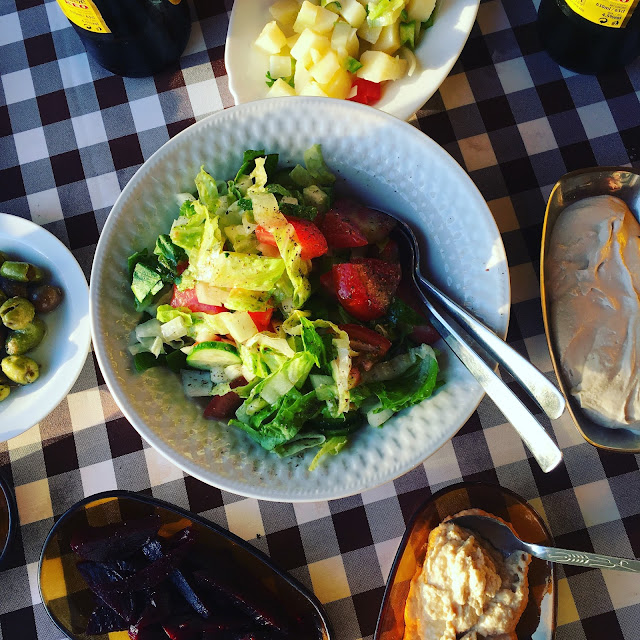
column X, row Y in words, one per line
column 131, row 37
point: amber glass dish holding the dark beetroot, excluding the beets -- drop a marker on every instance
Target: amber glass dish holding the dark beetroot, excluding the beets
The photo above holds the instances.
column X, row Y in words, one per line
column 69, row 602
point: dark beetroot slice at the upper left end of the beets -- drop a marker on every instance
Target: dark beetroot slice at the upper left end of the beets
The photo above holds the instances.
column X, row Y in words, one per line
column 114, row 541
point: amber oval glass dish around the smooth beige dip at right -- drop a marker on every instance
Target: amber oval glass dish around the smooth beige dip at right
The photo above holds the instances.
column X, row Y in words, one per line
column 620, row 182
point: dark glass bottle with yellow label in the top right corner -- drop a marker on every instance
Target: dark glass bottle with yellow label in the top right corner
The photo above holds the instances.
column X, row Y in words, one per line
column 602, row 43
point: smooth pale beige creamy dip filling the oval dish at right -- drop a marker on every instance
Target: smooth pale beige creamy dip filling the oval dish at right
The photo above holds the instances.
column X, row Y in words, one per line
column 593, row 283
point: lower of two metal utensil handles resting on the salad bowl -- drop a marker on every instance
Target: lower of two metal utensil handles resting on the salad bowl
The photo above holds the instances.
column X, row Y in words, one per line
column 543, row 448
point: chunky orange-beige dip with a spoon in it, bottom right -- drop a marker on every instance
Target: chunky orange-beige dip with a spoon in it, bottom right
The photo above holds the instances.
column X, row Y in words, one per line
column 466, row 589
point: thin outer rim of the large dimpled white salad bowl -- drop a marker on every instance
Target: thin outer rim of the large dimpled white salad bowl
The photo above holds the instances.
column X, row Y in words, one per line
column 187, row 465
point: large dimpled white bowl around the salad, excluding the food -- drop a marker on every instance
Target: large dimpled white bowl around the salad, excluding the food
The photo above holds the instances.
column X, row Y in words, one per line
column 384, row 162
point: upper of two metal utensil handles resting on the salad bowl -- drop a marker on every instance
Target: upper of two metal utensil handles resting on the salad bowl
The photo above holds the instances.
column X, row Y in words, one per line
column 529, row 377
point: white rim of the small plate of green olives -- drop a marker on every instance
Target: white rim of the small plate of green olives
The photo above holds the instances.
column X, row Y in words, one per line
column 51, row 247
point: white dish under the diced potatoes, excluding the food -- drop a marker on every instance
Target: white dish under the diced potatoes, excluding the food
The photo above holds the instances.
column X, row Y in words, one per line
column 437, row 52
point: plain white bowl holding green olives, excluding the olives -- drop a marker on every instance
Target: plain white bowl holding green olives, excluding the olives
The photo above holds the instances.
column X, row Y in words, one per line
column 63, row 351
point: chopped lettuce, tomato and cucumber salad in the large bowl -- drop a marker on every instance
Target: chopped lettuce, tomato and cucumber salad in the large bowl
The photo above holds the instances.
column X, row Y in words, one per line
column 282, row 305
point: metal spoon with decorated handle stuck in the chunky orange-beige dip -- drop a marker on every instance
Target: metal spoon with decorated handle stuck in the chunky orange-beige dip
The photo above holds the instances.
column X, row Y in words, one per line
column 503, row 539
